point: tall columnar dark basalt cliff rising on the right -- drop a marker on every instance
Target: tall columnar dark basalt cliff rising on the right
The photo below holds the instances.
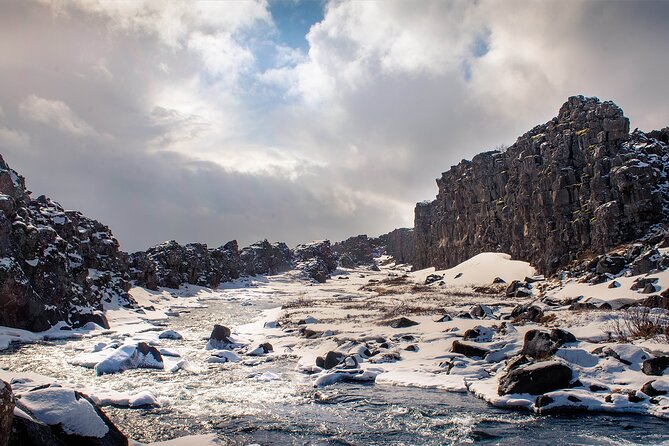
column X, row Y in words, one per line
column 579, row 184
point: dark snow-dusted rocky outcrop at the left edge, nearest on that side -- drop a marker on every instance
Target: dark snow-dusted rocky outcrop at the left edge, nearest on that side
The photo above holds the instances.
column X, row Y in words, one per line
column 54, row 264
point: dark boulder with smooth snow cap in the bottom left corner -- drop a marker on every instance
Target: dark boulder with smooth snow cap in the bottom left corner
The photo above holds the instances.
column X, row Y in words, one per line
column 74, row 418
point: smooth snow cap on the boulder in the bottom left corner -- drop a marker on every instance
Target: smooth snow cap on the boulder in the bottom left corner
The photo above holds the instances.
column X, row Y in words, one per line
column 55, row 405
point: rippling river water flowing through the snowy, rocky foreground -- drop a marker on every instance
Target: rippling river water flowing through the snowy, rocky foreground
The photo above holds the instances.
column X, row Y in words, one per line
column 231, row 401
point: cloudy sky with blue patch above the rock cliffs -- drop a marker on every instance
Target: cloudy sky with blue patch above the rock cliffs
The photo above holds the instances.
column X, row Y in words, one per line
column 297, row 120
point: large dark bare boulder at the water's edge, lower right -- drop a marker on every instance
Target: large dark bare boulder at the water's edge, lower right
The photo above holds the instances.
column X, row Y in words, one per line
column 535, row 379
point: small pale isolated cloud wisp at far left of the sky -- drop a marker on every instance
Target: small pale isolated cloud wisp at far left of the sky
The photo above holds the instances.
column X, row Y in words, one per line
column 56, row 114
